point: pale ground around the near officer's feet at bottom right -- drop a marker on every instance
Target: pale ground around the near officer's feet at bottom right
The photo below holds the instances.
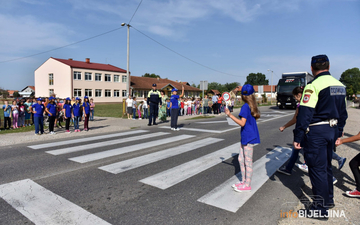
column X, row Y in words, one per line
column 345, row 182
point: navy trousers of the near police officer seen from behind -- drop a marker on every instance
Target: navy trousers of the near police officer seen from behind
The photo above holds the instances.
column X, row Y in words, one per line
column 318, row 148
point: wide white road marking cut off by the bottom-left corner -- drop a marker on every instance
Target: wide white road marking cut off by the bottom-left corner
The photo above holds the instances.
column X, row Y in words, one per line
column 44, row 207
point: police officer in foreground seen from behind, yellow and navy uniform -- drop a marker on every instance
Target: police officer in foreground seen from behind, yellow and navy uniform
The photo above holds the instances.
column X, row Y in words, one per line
column 320, row 122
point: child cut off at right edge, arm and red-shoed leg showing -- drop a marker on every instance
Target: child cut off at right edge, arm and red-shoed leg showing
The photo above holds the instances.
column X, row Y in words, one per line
column 354, row 166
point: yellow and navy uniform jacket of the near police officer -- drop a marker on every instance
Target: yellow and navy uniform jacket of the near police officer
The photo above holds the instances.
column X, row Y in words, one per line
column 324, row 98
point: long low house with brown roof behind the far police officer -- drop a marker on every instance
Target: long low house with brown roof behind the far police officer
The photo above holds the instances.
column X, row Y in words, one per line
column 142, row 85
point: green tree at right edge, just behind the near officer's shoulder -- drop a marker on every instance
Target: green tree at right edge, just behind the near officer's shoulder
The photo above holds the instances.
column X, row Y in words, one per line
column 351, row 79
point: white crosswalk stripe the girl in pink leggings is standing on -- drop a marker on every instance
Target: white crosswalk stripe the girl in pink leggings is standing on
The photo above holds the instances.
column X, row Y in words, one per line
column 226, row 198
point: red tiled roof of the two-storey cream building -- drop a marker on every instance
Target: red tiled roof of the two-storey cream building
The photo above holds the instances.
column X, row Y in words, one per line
column 90, row 65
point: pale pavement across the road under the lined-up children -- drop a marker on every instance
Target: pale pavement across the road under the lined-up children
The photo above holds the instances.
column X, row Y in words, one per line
column 99, row 126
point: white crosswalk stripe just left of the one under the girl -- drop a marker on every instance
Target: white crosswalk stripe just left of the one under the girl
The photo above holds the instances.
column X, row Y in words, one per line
column 184, row 171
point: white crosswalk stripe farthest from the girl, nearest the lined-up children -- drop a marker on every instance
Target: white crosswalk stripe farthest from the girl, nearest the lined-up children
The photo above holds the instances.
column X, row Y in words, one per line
column 60, row 143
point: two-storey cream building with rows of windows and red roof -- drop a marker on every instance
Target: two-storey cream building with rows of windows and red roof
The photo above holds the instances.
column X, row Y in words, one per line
column 71, row 78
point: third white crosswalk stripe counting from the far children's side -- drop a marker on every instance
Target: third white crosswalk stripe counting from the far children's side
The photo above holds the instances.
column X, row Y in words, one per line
column 133, row 148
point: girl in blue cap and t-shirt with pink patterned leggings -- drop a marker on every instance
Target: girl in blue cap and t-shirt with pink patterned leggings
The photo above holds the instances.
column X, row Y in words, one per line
column 249, row 135
